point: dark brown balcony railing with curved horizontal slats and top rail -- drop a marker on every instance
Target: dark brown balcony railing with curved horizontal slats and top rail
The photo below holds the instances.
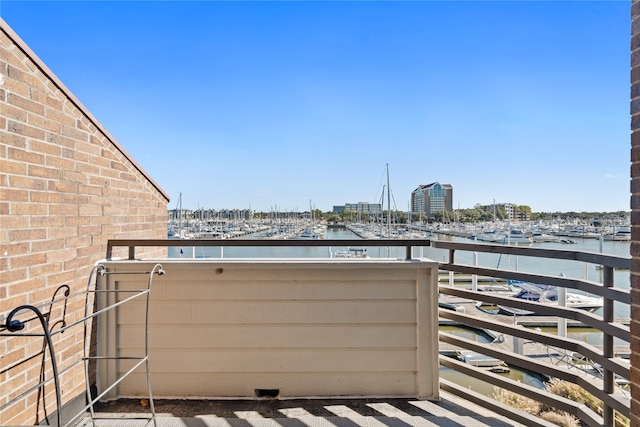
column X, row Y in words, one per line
column 605, row 360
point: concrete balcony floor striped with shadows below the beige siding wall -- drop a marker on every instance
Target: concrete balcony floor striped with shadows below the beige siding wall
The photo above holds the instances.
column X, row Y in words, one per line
column 450, row 410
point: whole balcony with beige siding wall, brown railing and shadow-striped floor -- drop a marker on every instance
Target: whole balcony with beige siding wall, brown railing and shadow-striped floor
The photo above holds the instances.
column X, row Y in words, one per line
column 360, row 336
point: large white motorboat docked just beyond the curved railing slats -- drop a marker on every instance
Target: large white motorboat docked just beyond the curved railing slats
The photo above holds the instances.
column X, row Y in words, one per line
column 548, row 295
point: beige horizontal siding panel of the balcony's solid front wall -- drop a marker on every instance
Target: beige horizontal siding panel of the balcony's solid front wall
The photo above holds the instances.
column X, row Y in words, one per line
column 226, row 329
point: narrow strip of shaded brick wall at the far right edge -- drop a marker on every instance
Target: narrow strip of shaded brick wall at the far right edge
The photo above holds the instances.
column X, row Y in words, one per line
column 635, row 212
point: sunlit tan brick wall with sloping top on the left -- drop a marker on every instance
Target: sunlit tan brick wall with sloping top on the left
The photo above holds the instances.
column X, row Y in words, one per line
column 66, row 187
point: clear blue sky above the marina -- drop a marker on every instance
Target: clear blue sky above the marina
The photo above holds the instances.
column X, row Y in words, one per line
column 285, row 104
